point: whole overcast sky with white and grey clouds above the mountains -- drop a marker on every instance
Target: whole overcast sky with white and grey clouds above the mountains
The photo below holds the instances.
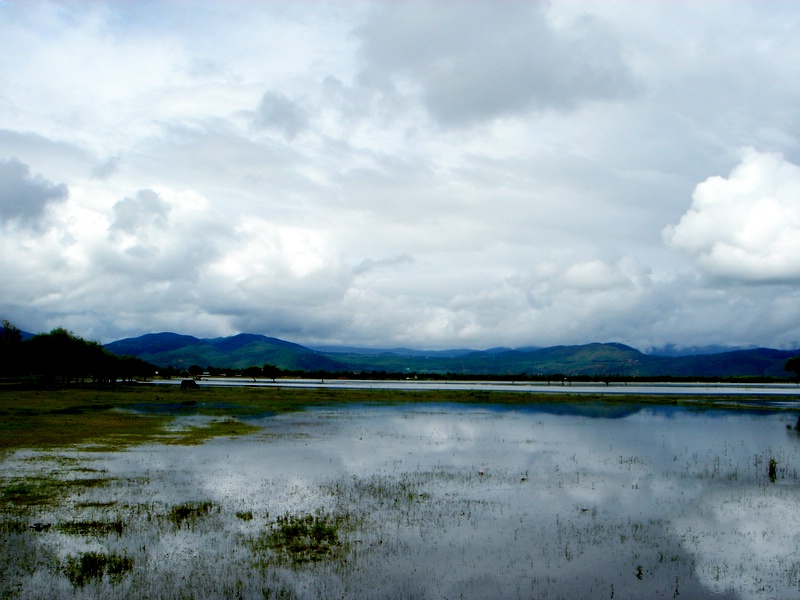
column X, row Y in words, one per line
column 448, row 174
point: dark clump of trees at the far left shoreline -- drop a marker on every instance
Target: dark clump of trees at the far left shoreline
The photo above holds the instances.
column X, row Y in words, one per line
column 62, row 357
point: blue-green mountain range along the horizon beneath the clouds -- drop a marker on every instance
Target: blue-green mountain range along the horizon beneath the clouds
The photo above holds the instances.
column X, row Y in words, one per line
column 595, row 359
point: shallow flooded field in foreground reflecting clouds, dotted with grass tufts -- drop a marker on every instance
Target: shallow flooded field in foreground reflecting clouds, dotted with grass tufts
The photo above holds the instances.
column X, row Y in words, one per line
column 561, row 500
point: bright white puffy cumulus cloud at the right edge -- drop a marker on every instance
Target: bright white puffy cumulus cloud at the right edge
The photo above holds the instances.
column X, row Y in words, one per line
column 745, row 227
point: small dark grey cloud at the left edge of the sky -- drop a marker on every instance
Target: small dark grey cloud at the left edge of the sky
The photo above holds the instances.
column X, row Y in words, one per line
column 24, row 198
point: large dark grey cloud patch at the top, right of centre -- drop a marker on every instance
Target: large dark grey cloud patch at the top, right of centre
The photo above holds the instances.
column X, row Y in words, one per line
column 479, row 60
